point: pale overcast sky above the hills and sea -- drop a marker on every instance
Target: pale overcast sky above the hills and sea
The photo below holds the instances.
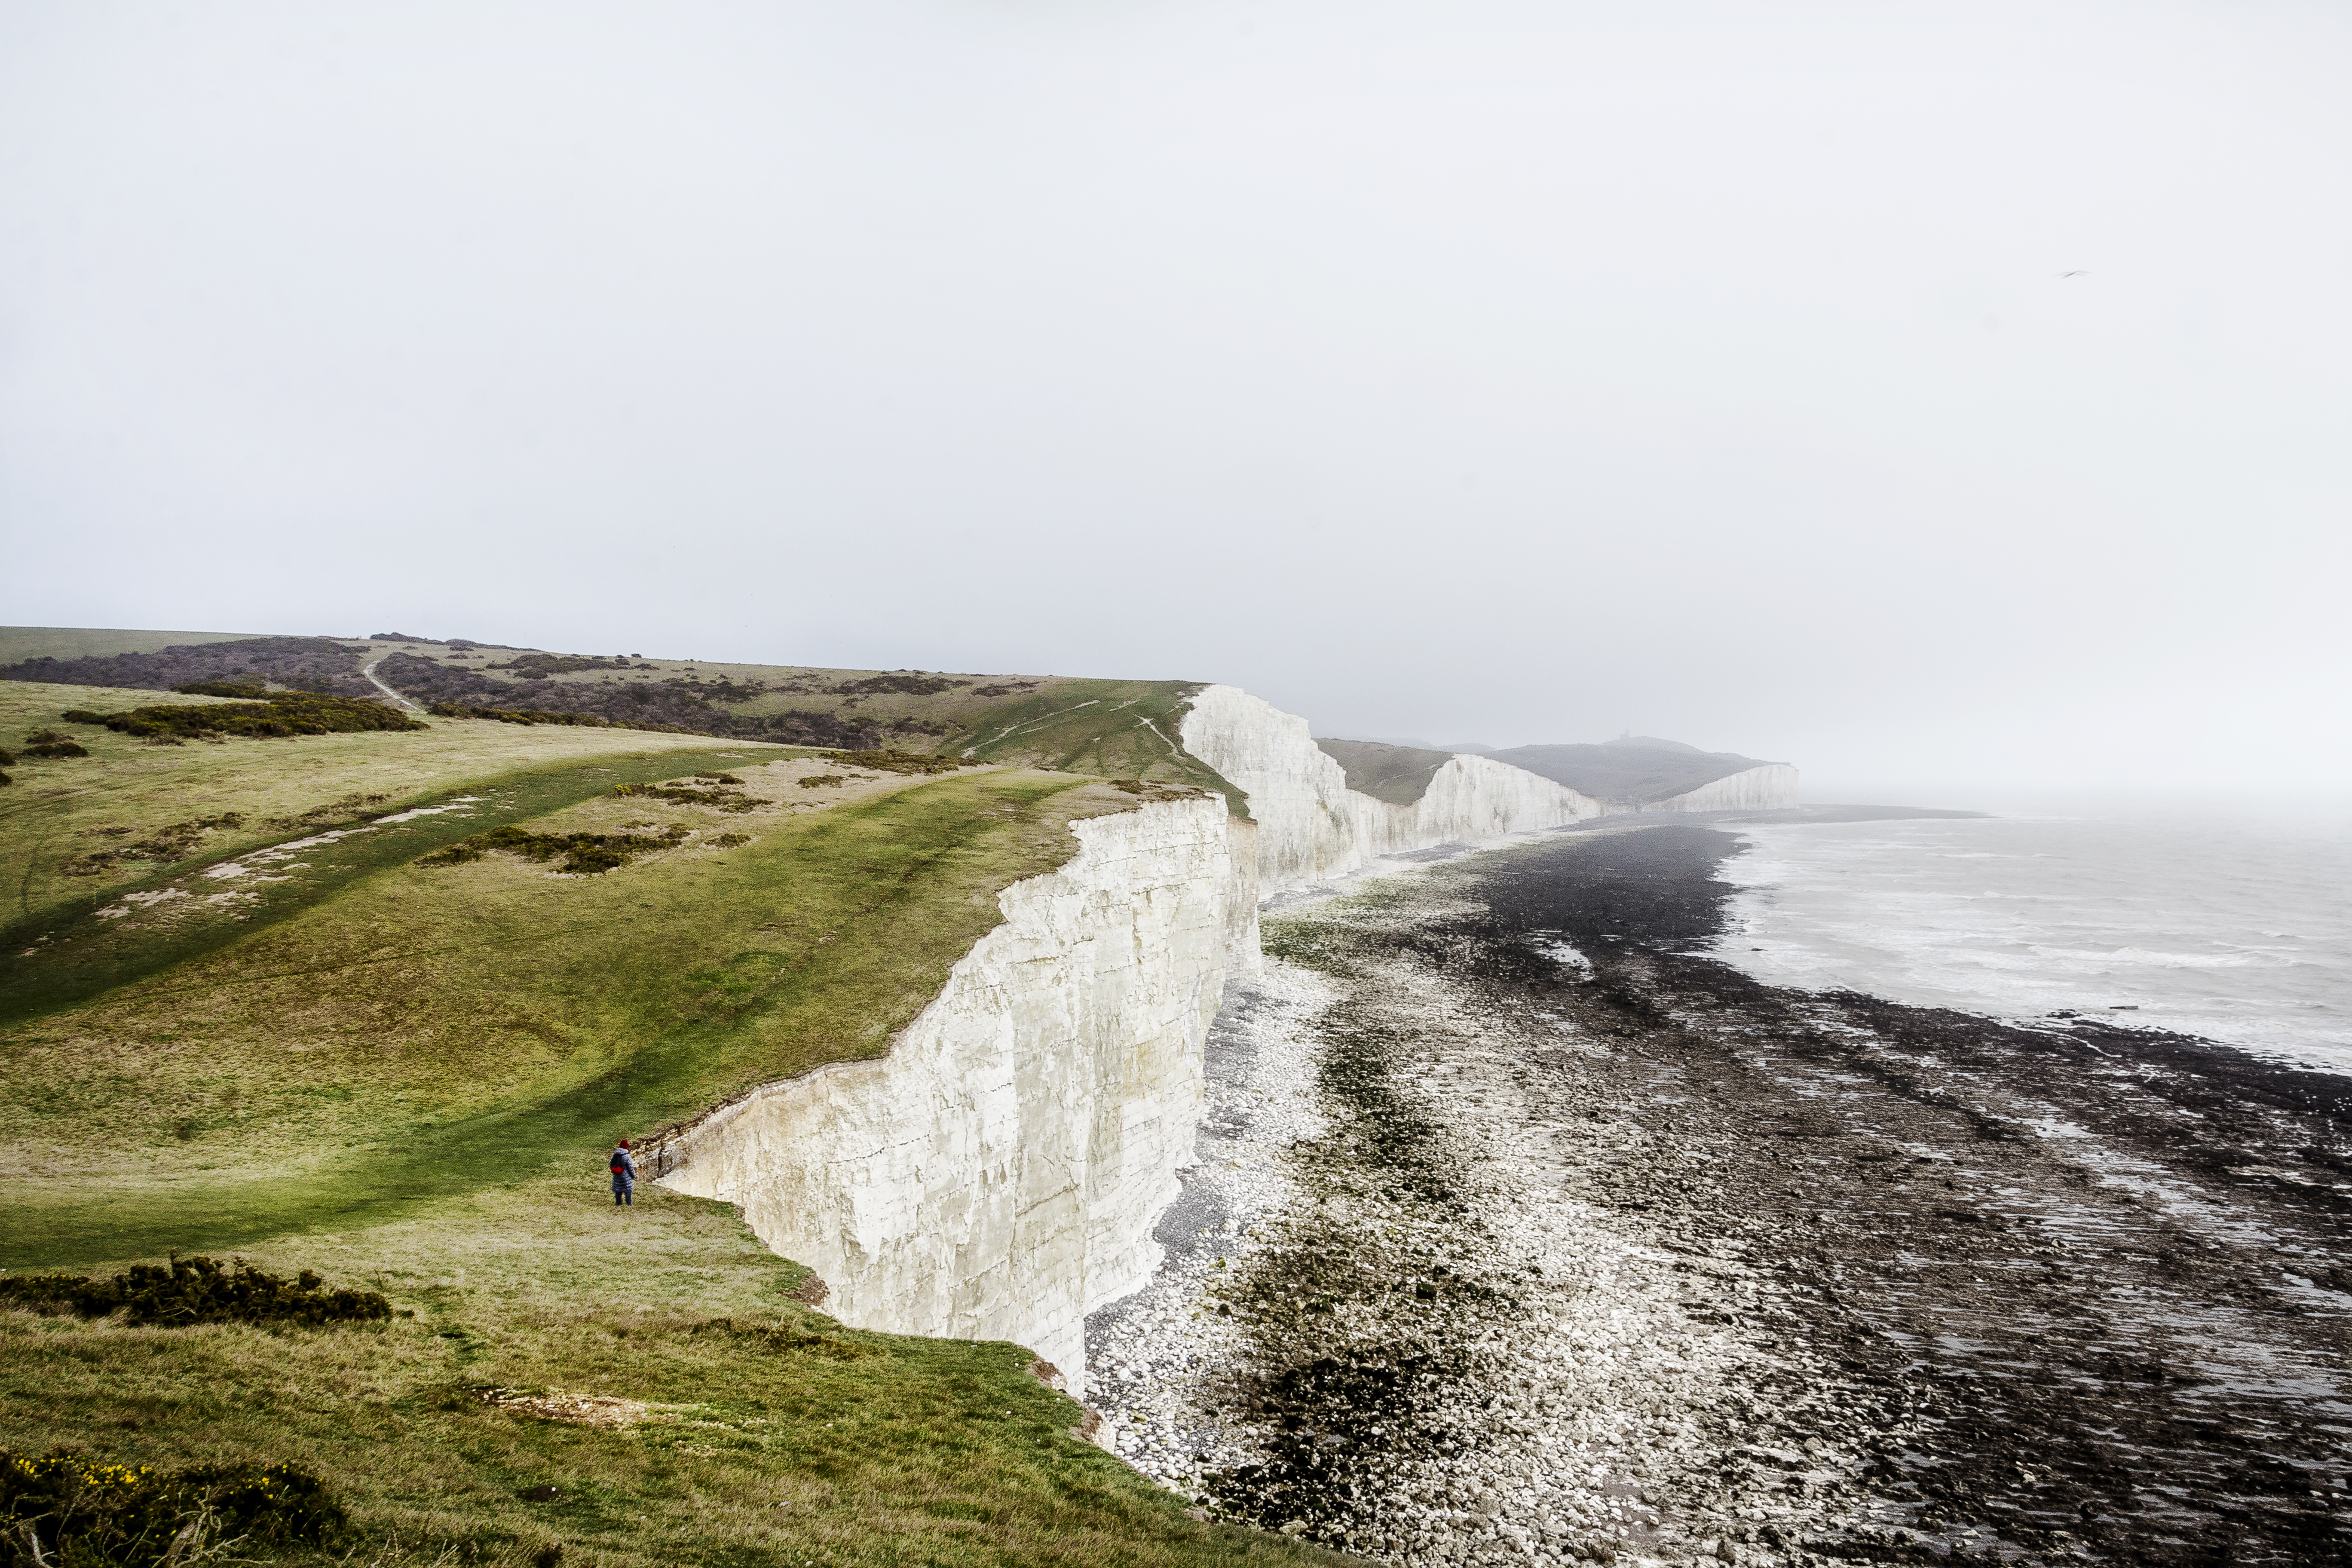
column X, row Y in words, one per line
column 1925, row 394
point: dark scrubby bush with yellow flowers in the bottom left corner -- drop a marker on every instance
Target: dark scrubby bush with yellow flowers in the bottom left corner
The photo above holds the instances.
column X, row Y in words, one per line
column 74, row 1513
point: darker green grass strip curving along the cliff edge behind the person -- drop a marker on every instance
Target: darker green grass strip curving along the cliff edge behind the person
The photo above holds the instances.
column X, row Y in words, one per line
column 886, row 897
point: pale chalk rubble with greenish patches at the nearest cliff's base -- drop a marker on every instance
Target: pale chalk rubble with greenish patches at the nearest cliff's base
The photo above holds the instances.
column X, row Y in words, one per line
column 1419, row 1348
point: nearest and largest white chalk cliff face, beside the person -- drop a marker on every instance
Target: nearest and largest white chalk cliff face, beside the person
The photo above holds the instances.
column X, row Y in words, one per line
column 1001, row 1172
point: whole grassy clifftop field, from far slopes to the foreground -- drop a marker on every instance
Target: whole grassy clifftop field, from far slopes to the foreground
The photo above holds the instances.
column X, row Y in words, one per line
column 338, row 1007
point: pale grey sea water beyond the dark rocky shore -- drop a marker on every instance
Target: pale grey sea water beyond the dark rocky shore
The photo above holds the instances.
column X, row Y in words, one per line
column 2210, row 920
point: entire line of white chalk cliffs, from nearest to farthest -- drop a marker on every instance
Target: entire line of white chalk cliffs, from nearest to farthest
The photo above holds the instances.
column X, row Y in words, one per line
column 998, row 1174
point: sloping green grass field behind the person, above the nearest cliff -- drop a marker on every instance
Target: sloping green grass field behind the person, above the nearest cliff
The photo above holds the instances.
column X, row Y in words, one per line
column 432, row 1031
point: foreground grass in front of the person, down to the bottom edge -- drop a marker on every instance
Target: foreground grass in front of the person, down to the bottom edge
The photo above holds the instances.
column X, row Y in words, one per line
column 883, row 1449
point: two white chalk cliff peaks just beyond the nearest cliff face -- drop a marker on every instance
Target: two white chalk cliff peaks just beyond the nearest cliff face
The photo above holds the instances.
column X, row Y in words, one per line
column 1314, row 826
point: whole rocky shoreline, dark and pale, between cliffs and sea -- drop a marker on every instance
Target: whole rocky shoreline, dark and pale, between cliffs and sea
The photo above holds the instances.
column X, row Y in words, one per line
column 1530, row 1233
